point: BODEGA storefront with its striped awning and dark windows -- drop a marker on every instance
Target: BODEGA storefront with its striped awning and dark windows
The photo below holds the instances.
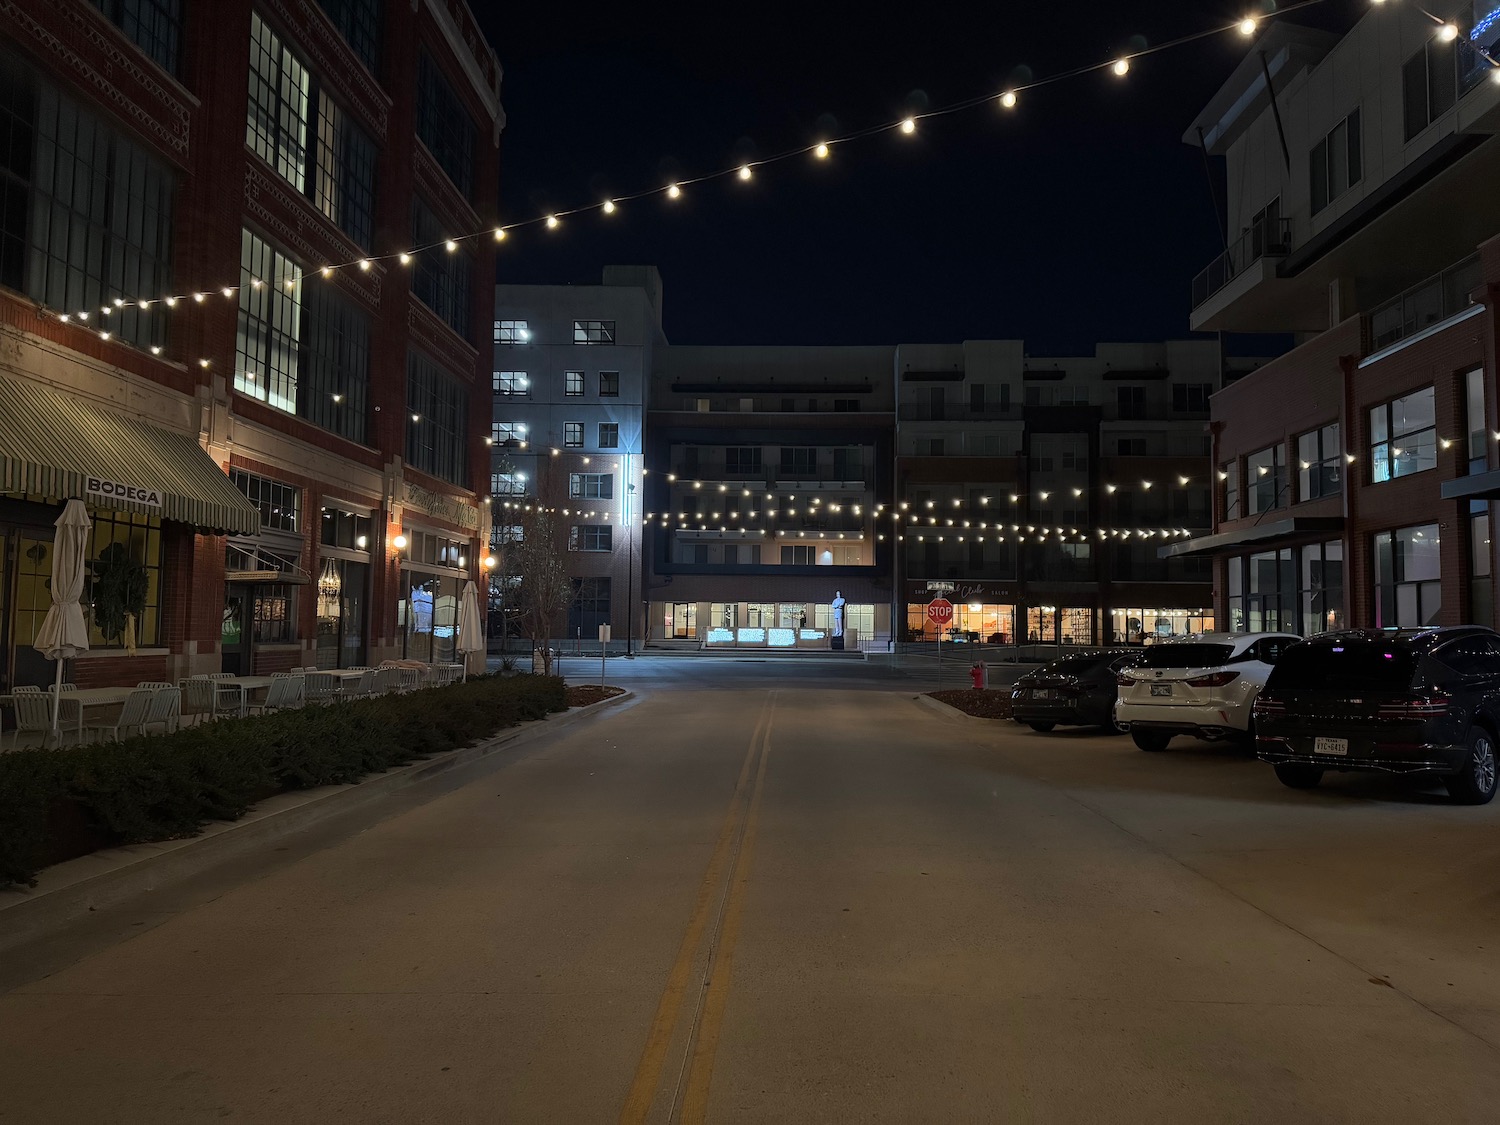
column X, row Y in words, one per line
column 148, row 490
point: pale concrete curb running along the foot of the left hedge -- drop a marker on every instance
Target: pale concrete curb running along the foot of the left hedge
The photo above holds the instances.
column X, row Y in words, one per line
column 100, row 880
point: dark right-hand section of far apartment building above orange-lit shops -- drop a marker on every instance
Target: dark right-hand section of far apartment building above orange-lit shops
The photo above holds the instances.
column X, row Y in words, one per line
column 1034, row 494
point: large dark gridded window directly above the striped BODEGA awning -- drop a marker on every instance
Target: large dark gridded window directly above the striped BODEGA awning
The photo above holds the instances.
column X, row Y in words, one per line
column 86, row 215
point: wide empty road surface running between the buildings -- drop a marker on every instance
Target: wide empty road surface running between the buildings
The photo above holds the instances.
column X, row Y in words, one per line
column 770, row 892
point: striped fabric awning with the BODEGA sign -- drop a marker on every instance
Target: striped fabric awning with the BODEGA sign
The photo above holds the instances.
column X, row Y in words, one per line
column 59, row 448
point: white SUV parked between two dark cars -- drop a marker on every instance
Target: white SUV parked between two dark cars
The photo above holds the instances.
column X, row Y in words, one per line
column 1202, row 688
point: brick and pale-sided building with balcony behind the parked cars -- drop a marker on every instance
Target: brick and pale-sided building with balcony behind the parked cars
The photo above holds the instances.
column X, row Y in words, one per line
column 1355, row 475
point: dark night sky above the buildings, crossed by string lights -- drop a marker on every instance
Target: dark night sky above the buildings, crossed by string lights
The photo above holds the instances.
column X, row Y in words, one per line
column 1073, row 220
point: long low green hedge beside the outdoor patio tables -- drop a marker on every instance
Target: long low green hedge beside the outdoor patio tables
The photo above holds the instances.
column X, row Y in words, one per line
column 62, row 803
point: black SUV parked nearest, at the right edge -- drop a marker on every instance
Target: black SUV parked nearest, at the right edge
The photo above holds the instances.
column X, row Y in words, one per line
column 1408, row 701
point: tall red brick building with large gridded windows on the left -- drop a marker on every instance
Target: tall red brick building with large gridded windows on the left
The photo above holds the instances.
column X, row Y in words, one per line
column 208, row 335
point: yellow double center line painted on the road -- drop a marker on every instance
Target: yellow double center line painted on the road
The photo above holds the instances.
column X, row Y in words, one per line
column 724, row 907
